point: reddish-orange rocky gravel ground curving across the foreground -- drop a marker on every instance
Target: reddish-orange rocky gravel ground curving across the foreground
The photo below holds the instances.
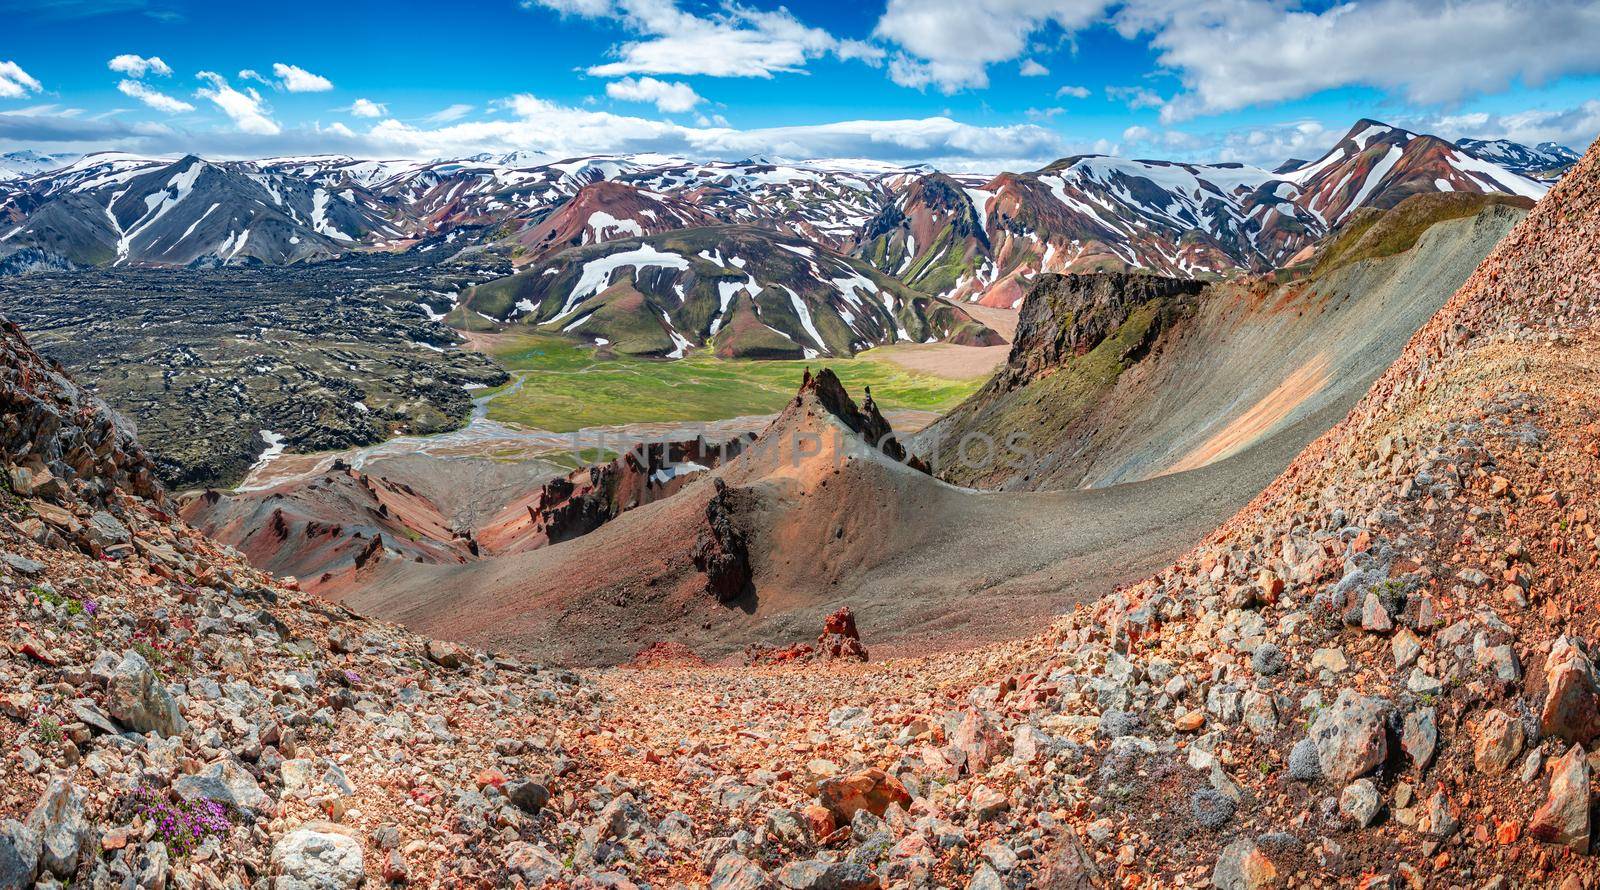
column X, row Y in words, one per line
column 1380, row 675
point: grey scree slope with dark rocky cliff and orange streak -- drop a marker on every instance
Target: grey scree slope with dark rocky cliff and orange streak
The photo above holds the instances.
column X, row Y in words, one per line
column 1116, row 380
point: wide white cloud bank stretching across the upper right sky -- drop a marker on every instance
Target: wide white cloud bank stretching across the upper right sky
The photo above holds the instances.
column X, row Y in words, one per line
column 1241, row 54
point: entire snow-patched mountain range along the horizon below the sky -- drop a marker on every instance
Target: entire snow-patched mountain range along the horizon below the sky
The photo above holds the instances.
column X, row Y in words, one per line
column 940, row 235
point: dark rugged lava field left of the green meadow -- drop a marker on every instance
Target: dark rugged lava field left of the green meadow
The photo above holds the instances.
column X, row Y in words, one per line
column 327, row 356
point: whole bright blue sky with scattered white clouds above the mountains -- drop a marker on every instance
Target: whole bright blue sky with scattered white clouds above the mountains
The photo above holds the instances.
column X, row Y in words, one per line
column 966, row 84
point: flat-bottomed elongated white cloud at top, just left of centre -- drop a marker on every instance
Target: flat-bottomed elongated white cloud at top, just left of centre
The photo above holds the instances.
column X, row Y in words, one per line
column 734, row 42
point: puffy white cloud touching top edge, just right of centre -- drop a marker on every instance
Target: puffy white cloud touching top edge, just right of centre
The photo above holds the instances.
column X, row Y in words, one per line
column 951, row 44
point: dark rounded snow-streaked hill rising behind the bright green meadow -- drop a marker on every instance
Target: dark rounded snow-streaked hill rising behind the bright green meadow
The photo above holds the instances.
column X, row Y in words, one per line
column 743, row 292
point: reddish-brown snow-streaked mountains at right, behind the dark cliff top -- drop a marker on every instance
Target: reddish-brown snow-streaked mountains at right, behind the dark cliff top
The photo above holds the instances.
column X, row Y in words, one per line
column 1185, row 220
